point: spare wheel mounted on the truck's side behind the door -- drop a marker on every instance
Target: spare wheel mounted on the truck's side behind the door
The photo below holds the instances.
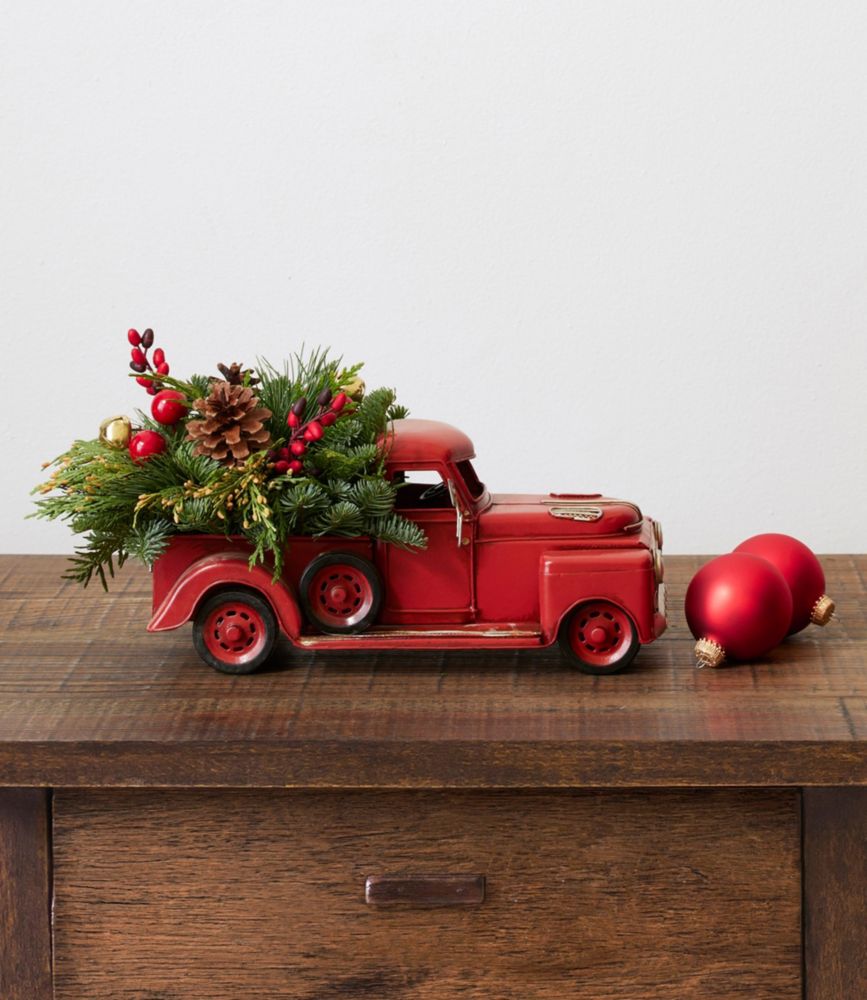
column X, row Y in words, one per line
column 341, row 593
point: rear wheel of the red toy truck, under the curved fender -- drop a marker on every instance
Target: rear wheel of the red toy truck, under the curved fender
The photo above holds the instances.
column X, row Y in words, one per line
column 234, row 631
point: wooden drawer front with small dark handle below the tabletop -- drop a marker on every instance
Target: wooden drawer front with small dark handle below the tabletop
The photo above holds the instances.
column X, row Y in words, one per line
column 595, row 895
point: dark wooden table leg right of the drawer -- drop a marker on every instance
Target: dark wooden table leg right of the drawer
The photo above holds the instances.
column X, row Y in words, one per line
column 835, row 893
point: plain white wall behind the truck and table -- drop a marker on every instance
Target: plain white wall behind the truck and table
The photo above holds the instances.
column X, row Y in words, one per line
column 623, row 245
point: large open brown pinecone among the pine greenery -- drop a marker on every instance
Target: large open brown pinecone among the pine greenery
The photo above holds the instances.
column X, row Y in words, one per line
column 232, row 426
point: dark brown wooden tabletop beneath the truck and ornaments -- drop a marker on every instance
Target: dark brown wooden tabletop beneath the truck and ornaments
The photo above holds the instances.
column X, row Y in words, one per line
column 88, row 698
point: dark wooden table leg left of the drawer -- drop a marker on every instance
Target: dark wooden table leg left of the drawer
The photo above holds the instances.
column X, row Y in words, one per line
column 25, row 895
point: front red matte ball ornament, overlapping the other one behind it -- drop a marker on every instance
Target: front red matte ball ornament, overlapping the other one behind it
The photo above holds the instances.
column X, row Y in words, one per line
column 738, row 607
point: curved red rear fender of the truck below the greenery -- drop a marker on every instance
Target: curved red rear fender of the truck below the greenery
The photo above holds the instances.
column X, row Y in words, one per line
column 224, row 570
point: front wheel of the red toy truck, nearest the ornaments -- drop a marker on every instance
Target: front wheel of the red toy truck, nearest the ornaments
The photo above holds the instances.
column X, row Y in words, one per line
column 599, row 638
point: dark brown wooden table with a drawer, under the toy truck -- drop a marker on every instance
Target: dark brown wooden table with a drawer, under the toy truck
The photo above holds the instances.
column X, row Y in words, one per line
column 169, row 832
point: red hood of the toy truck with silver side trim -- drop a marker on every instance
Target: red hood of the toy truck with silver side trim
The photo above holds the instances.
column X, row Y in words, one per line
column 557, row 515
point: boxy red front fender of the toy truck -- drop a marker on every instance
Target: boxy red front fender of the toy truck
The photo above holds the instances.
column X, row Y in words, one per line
column 622, row 576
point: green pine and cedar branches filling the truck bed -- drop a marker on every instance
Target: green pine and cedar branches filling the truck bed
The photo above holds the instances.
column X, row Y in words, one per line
column 127, row 509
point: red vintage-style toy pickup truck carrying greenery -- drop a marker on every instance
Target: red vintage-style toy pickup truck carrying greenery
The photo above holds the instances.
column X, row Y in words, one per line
column 499, row 571
